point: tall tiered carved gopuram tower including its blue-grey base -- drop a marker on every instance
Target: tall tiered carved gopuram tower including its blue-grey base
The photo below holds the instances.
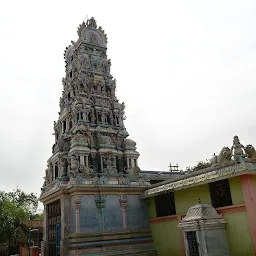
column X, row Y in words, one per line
column 92, row 187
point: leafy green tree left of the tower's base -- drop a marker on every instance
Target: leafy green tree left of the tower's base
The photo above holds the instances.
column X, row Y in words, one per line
column 15, row 207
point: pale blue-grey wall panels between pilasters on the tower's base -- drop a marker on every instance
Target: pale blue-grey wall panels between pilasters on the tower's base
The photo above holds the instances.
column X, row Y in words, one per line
column 136, row 214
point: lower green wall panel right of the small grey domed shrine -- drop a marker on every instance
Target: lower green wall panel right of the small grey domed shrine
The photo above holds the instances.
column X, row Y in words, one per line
column 238, row 234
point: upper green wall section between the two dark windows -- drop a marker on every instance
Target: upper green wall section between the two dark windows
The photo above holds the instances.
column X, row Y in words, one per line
column 189, row 197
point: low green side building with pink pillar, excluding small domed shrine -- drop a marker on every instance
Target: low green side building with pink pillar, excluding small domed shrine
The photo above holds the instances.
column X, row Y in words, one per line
column 228, row 185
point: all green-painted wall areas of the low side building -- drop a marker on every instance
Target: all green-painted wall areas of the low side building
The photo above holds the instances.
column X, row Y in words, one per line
column 166, row 234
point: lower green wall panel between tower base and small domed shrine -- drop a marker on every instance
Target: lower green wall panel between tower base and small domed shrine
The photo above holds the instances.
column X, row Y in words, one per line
column 166, row 237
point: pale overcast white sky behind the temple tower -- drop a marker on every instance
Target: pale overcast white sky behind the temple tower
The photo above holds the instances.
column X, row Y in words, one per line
column 185, row 70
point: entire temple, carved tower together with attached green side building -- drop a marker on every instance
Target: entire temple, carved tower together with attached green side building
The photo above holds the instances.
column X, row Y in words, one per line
column 98, row 202
